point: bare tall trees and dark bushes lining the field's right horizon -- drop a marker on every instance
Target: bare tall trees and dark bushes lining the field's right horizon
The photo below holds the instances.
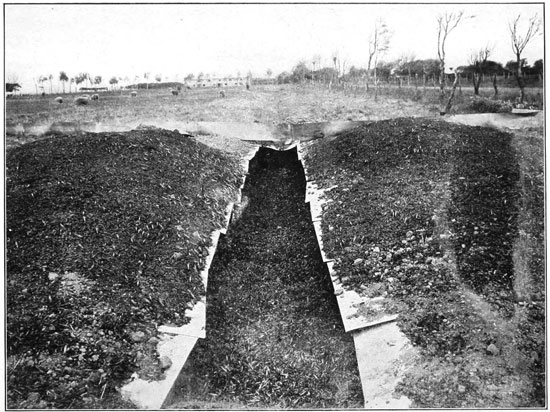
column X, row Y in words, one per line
column 479, row 65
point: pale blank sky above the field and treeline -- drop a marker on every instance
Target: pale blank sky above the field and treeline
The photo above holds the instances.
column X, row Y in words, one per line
column 128, row 40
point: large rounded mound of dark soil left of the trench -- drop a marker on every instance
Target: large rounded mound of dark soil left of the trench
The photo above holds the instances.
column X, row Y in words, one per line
column 106, row 235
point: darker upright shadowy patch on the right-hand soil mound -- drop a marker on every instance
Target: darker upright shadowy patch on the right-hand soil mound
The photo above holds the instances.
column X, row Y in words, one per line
column 483, row 215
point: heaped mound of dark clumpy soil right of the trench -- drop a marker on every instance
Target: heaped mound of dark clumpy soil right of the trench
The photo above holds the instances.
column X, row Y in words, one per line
column 427, row 211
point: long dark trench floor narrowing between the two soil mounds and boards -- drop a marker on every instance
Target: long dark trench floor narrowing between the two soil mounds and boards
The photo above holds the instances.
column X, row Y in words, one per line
column 274, row 334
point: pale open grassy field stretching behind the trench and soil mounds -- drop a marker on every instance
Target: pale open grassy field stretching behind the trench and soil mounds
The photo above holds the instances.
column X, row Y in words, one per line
column 275, row 104
